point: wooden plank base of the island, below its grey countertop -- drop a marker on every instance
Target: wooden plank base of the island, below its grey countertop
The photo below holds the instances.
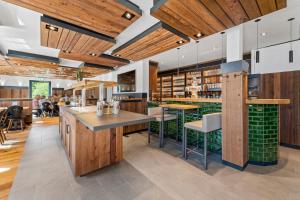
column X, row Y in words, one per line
column 87, row 150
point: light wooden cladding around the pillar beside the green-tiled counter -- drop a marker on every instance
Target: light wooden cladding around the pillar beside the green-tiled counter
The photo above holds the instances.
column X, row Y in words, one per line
column 235, row 119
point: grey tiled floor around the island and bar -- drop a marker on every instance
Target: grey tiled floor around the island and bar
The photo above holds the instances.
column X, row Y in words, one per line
column 148, row 173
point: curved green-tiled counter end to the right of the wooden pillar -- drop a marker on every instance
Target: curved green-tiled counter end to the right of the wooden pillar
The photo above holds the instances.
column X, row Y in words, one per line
column 263, row 133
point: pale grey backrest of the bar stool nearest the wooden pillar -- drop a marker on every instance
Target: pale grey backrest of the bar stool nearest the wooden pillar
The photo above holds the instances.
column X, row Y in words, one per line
column 212, row 122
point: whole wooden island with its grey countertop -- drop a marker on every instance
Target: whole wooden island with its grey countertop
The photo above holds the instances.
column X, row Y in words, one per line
column 93, row 142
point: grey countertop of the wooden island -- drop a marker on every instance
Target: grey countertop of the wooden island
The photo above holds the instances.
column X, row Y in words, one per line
column 95, row 123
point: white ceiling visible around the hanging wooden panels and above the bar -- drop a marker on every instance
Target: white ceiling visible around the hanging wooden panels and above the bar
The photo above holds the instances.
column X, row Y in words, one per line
column 20, row 30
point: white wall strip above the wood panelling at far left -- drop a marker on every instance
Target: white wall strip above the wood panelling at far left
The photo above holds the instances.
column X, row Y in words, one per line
column 24, row 81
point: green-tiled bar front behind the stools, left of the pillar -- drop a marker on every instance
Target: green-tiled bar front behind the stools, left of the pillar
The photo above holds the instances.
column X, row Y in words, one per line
column 214, row 139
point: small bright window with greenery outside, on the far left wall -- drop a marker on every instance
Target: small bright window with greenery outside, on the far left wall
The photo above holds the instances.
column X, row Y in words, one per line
column 40, row 88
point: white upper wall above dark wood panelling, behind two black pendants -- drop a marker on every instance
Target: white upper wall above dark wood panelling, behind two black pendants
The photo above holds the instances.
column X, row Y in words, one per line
column 276, row 59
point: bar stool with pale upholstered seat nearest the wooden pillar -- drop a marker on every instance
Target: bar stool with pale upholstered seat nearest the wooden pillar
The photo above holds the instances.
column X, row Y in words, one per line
column 210, row 122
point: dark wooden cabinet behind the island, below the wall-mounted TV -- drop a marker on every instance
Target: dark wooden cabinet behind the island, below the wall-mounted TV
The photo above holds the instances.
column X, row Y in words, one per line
column 139, row 106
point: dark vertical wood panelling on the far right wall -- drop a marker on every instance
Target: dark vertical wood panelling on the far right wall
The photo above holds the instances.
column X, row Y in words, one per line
column 285, row 85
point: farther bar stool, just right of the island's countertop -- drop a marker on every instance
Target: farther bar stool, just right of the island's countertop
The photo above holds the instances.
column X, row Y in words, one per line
column 156, row 112
